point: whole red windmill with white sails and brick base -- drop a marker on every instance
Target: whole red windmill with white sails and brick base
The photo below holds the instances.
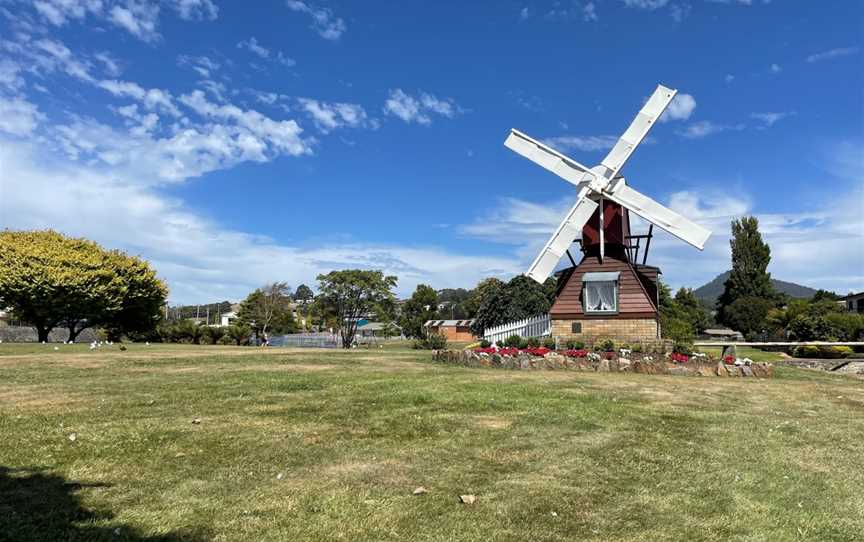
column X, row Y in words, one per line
column 609, row 293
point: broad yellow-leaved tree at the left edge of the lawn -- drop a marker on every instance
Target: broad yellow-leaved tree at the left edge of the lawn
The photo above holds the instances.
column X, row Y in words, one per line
column 51, row 280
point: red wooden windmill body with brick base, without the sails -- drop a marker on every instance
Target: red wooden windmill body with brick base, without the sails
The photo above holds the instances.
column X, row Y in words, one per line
column 608, row 294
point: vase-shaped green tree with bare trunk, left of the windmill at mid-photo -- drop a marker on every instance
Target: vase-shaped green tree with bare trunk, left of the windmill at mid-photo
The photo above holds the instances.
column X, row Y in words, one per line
column 348, row 294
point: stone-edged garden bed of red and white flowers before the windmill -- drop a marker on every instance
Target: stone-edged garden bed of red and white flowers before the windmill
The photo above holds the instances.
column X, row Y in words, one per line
column 609, row 362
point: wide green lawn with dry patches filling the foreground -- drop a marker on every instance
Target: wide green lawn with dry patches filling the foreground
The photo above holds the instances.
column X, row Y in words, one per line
column 329, row 445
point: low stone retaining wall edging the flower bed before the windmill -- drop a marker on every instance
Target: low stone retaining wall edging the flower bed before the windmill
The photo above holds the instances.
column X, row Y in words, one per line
column 642, row 364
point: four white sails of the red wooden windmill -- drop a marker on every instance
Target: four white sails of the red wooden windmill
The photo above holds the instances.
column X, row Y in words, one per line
column 600, row 183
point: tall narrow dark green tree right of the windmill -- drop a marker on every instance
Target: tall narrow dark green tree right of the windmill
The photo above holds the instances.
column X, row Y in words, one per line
column 749, row 277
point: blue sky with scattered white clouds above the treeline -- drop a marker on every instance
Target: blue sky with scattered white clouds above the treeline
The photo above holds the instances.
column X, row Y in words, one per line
column 235, row 145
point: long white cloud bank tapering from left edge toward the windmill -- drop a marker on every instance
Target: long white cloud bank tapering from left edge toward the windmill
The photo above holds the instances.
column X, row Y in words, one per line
column 200, row 259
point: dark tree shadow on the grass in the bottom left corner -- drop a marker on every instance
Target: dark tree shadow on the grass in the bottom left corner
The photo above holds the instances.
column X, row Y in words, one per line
column 36, row 505
